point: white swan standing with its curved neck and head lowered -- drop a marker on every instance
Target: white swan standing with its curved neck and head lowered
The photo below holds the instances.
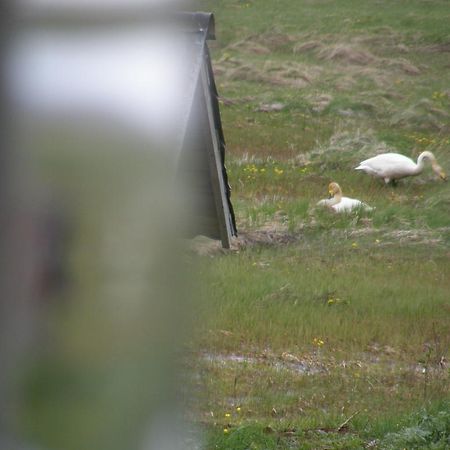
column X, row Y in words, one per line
column 393, row 166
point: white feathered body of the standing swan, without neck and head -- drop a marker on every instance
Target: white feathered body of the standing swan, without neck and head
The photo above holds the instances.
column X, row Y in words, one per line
column 388, row 165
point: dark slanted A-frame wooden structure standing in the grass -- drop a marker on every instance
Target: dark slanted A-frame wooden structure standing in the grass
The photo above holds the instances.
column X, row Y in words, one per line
column 204, row 145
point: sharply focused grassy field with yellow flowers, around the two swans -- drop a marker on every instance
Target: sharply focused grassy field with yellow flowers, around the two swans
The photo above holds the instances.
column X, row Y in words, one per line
column 322, row 331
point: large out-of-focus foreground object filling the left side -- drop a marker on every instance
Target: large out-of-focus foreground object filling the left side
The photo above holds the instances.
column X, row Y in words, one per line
column 101, row 103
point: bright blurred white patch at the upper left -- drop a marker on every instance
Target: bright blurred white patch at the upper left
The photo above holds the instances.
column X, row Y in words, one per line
column 140, row 78
